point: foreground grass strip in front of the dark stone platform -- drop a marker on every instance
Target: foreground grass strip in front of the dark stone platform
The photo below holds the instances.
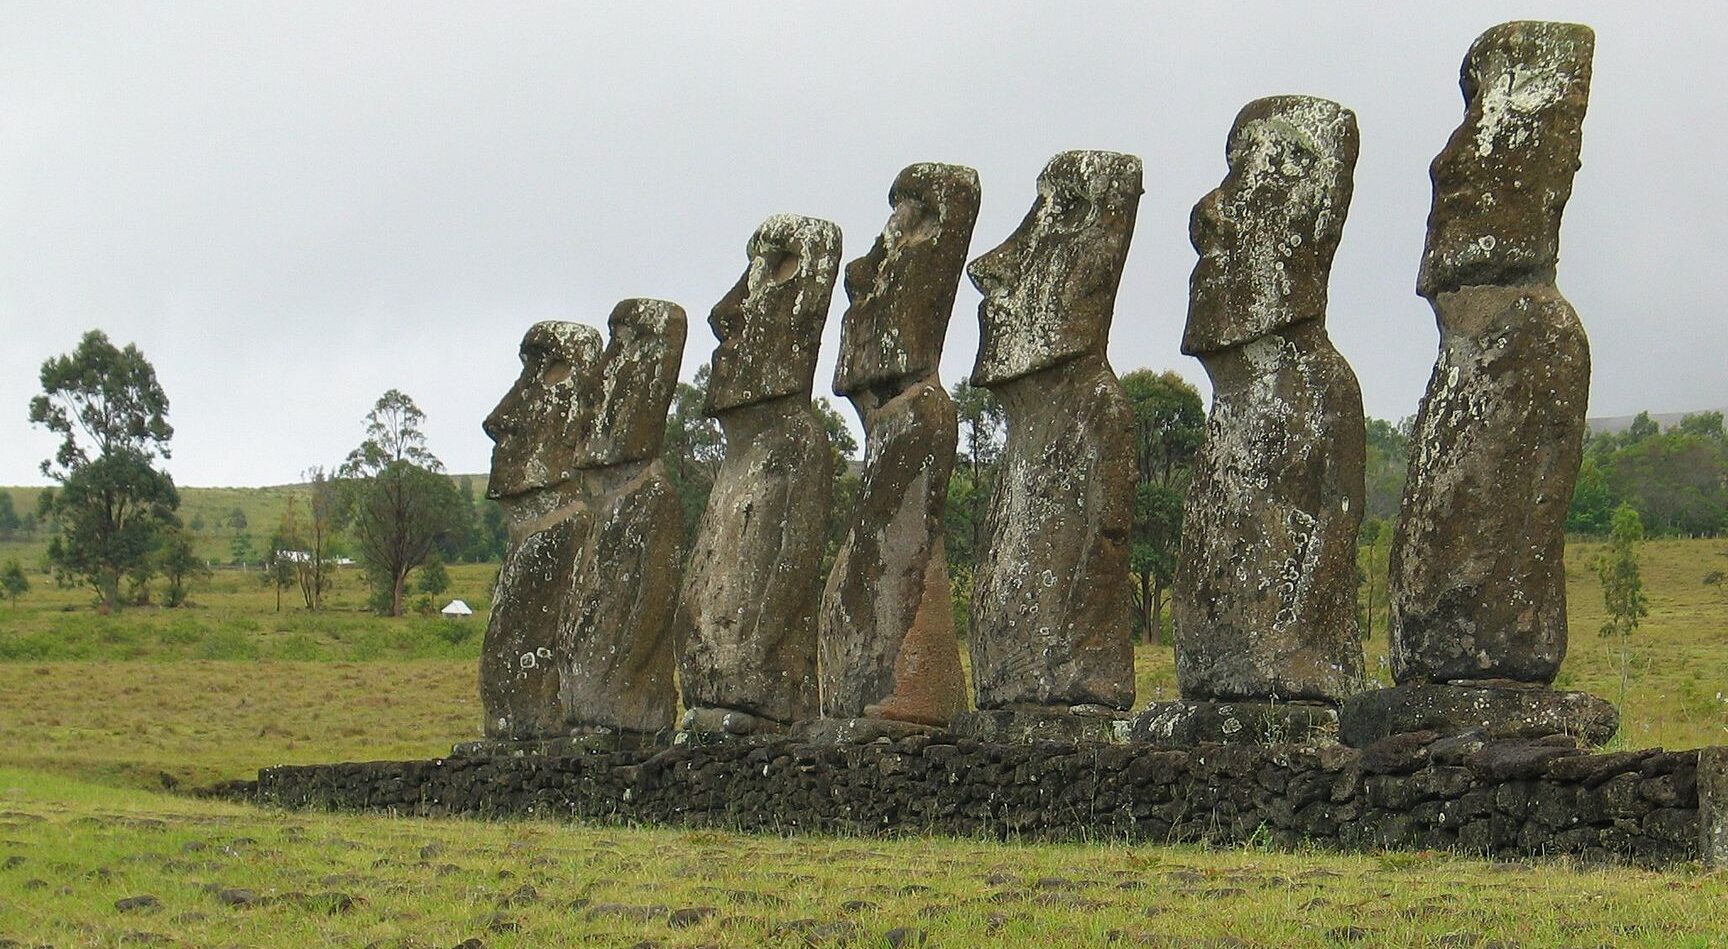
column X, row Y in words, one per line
column 70, row 851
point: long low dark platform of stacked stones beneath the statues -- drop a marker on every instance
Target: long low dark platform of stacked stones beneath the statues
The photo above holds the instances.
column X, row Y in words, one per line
column 1411, row 791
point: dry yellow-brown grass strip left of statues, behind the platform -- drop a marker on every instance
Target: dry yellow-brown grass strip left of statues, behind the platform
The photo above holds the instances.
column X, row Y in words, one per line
column 194, row 723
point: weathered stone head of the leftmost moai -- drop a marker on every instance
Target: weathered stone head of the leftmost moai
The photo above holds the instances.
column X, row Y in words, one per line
column 538, row 428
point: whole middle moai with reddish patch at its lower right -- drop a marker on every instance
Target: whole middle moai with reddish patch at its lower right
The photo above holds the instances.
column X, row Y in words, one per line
column 887, row 621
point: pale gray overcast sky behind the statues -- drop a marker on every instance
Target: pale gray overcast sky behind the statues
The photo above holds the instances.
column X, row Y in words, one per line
column 293, row 208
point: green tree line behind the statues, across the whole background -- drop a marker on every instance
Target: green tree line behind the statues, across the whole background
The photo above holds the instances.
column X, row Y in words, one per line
column 388, row 506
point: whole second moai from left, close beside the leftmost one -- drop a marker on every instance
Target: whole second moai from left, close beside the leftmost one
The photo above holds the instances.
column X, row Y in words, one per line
column 618, row 625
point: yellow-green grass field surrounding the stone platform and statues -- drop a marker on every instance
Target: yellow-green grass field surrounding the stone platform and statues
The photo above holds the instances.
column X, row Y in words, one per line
column 101, row 715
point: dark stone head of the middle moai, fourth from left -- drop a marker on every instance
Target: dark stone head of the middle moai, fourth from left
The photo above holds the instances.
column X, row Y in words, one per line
column 903, row 291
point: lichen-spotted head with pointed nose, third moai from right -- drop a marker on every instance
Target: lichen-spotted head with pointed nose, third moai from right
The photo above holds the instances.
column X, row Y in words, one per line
column 1051, row 288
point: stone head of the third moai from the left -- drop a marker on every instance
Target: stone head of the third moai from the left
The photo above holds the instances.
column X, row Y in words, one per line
column 772, row 322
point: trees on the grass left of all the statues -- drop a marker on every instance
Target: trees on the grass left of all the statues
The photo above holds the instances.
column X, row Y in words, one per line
column 115, row 514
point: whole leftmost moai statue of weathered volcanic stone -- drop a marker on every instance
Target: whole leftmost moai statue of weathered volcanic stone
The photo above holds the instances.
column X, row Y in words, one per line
column 537, row 431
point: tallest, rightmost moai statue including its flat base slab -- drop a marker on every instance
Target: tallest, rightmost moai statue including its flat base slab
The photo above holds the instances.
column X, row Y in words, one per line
column 1478, row 583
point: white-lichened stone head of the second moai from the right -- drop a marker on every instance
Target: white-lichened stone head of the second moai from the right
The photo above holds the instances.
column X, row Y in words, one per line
column 1267, row 234
